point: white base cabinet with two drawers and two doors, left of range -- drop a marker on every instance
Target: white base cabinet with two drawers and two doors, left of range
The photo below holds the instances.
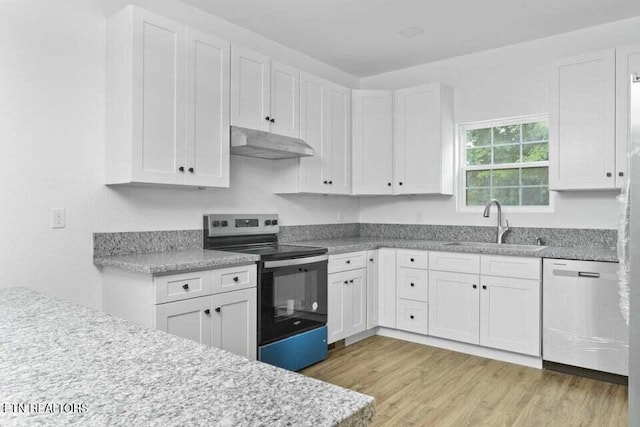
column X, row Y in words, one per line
column 213, row 307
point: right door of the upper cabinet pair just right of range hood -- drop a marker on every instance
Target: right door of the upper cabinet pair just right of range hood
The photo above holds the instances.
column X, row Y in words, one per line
column 340, row 140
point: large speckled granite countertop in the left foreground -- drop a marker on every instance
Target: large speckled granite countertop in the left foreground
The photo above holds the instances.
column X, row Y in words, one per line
column 118, row 373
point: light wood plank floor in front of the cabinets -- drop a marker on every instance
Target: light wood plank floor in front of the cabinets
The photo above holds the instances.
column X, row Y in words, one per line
column 417, row 385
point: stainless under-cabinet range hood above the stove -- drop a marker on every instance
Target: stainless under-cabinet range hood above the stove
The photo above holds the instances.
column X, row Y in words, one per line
column 267, row 145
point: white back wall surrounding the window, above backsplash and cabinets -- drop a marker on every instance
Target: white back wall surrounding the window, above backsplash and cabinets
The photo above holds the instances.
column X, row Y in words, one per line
column 500, row 83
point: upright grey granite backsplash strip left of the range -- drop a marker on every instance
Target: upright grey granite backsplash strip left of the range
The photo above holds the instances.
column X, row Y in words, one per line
column 144, row 242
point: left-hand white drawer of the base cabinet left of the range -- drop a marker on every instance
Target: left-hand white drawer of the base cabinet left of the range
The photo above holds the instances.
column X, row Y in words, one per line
column 175, row 287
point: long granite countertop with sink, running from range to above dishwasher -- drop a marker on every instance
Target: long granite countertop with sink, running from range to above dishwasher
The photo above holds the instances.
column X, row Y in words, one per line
column 354, row 244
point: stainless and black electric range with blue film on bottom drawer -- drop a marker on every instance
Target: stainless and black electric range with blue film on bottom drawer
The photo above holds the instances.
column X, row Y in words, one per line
column 292, row 287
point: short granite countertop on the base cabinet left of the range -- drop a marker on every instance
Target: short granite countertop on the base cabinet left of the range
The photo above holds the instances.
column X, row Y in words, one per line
column 166, row 262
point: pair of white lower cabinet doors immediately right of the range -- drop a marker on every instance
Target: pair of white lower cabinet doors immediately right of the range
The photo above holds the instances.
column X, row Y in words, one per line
column 347, row 304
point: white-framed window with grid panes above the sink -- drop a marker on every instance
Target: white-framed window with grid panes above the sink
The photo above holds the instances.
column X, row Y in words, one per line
column 506, row 160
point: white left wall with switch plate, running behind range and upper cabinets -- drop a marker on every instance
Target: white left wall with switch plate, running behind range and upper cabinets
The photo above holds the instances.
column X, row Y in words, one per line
column 52, row 78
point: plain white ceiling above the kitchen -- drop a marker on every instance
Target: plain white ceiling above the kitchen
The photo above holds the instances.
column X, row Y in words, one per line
column 361, row 36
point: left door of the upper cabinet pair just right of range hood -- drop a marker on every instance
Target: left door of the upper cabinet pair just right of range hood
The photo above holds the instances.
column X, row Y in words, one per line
column 314, row 131
